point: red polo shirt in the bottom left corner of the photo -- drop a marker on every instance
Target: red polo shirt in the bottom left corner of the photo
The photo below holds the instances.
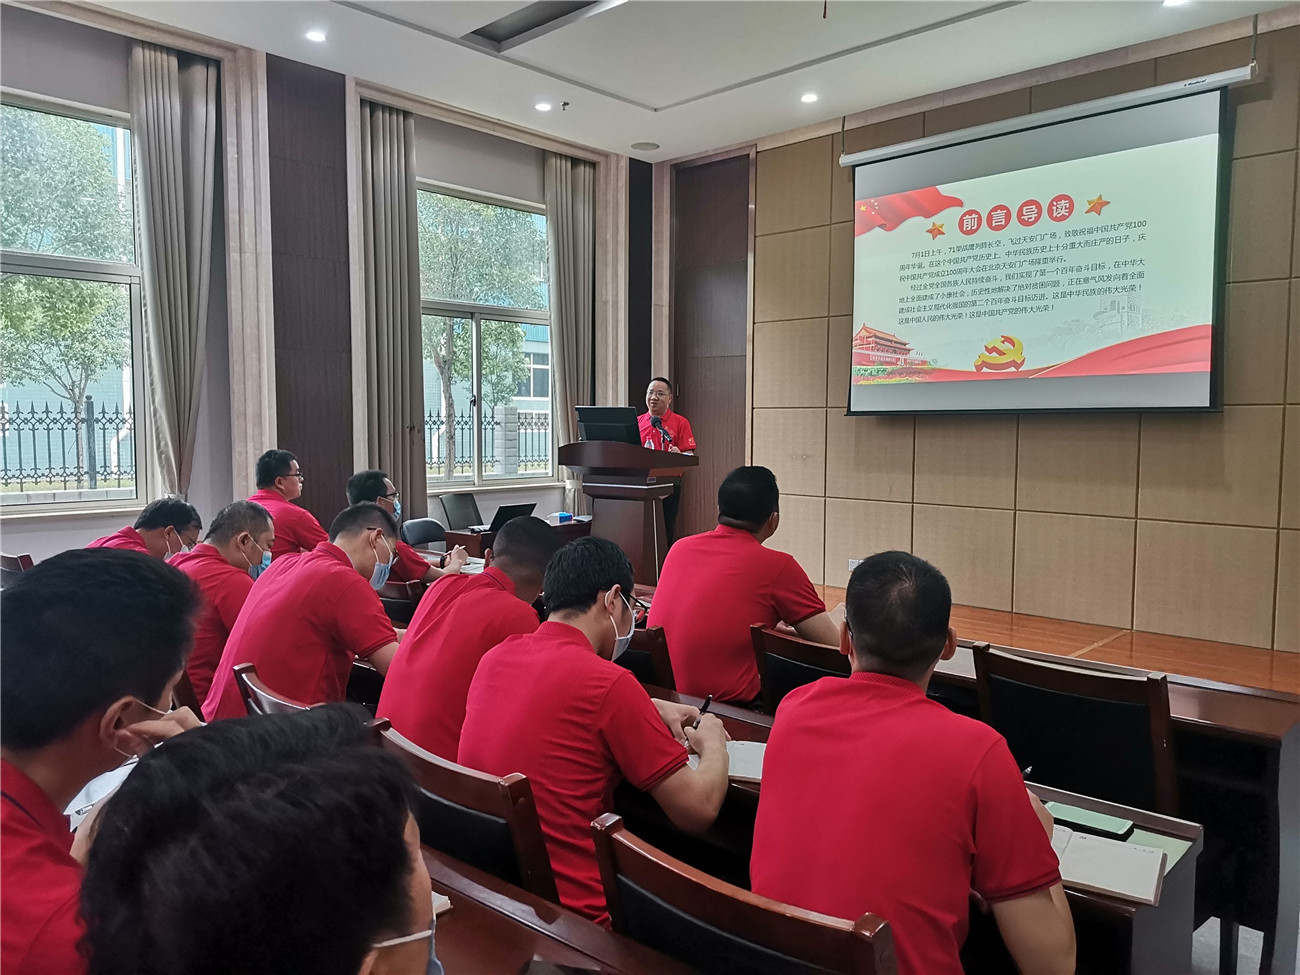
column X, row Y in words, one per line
column 40, row 883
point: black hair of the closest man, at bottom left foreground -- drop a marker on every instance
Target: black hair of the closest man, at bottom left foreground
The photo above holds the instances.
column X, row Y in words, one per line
column 274, row 813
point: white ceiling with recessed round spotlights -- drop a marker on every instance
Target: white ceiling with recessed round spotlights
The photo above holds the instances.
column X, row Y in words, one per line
column 688, row 75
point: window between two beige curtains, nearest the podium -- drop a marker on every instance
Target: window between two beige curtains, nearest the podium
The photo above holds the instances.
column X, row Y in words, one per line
column 487, row 340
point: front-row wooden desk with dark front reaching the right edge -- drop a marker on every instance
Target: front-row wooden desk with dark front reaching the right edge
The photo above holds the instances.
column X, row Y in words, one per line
column 1238, row 756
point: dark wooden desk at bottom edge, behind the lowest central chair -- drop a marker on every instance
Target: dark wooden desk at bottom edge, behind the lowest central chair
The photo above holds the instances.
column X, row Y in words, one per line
column 497, row 928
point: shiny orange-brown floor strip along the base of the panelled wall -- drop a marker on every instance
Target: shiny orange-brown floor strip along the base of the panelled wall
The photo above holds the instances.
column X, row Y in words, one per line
column 1193, row 658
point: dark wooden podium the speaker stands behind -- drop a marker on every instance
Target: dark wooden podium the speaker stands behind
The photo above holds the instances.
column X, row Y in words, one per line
column 627, row 486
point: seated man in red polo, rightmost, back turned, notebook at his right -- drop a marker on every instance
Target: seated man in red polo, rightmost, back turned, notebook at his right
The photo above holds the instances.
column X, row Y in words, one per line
column 921, row 805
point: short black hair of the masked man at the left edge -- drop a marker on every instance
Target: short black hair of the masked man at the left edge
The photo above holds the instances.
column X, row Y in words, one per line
column 84, row 630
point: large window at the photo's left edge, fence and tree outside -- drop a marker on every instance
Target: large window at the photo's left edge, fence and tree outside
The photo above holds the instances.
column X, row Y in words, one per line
column 71, row 309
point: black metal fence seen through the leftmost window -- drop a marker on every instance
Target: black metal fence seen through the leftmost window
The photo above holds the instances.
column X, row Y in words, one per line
column 46, row 449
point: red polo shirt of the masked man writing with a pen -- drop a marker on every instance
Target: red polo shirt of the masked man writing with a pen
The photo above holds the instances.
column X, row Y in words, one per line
column 577, row 725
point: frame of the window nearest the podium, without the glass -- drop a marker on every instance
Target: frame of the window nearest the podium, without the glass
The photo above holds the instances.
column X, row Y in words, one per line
column 476, row 314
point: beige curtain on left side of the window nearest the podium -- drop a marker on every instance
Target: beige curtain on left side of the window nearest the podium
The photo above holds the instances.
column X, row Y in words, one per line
column 392, row 253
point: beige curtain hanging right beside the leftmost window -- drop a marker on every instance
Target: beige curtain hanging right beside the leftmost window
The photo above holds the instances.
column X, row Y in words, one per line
column 175, row 135
